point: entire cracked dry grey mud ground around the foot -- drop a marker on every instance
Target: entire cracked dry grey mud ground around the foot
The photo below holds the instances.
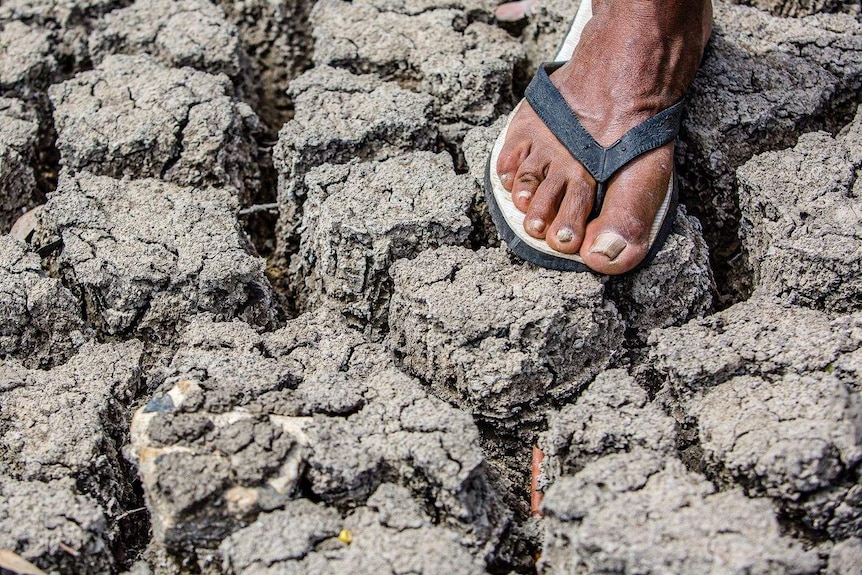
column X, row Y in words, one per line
column 363, row 397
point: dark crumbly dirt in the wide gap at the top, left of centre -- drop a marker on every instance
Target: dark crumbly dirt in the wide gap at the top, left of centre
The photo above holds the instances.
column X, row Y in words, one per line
column 277, row 39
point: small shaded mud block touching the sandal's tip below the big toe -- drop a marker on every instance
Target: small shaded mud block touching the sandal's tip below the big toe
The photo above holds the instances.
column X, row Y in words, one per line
column 674, row 288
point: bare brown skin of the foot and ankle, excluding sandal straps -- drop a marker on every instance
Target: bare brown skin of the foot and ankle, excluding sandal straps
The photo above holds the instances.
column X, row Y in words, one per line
column 635, row 58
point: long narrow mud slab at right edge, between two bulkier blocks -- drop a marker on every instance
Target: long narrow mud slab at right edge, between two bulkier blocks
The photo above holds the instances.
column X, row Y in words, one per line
column 757, row 337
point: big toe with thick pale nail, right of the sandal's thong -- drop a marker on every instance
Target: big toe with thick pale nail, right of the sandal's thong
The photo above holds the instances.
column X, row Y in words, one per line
column 620, row 238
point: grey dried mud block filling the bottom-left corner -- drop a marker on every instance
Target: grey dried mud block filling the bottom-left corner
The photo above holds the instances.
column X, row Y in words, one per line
column 41, row 521
